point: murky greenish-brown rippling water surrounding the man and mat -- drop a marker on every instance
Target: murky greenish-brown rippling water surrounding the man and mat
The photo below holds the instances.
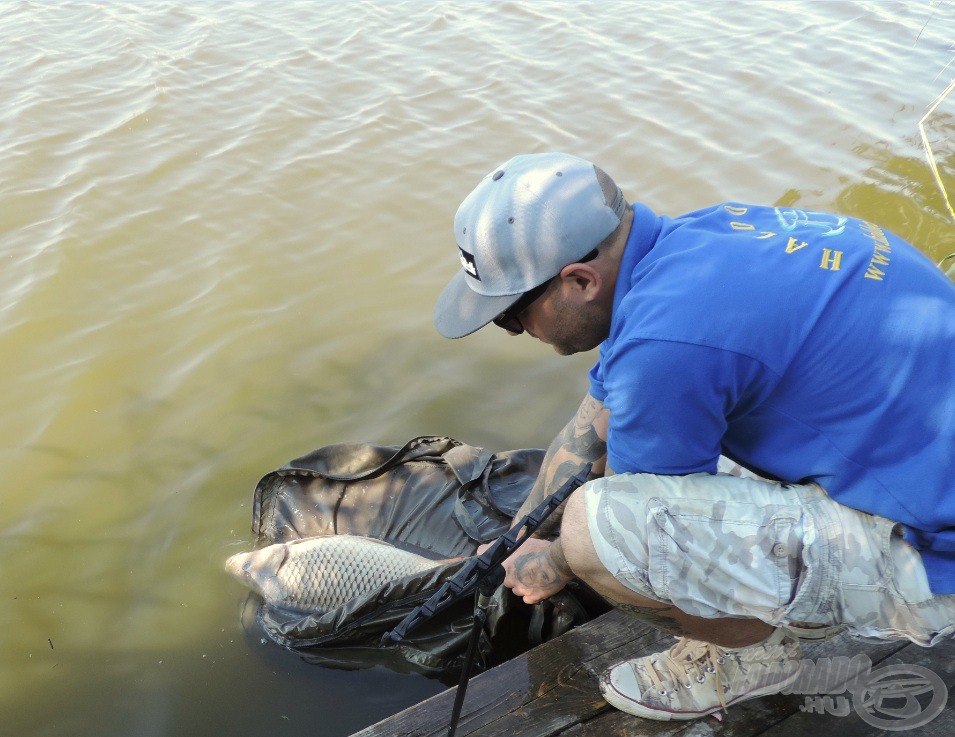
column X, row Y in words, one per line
column 222, row 231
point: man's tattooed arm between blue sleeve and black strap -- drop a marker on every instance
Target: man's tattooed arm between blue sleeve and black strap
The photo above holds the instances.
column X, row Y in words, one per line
column 583, row 440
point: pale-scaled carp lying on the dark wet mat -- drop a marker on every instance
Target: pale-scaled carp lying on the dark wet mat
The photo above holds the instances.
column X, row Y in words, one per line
column 321, row 573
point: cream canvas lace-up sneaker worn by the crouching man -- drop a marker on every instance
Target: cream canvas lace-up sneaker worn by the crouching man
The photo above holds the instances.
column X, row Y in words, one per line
column 694, row 678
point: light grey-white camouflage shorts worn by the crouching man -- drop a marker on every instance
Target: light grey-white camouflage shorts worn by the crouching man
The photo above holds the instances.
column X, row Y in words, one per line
column 723, row 546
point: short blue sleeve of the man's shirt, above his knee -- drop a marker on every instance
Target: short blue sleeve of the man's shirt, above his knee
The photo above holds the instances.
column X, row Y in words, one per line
column 670, row 403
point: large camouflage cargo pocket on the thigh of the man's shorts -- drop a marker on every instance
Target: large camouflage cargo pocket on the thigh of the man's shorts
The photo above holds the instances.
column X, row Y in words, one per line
column 716, row 558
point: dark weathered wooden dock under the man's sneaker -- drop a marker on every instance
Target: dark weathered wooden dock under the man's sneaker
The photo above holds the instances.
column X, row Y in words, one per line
column 552, row 690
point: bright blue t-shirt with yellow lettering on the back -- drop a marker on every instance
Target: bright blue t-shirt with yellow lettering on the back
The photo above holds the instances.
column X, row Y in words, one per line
column 804, row 345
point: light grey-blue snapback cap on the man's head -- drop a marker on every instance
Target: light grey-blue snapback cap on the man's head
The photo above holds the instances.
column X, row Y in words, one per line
column 528, row 219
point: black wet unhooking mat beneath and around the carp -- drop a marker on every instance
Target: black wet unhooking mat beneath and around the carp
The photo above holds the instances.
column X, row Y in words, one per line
column 434, row 496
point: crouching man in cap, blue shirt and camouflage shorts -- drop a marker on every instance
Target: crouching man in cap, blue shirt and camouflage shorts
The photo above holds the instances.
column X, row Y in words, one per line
column 813, row 349
